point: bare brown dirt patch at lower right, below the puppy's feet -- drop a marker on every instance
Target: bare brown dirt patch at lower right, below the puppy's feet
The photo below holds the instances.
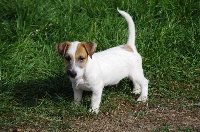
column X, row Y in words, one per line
column 140, row 118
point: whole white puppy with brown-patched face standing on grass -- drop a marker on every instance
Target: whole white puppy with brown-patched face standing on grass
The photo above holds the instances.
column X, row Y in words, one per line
column 92, row 71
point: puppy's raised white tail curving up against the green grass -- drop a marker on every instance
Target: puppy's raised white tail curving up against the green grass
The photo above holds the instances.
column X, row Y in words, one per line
column 131, row 29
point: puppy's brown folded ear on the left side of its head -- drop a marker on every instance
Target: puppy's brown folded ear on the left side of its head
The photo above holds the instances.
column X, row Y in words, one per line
column 63, row 47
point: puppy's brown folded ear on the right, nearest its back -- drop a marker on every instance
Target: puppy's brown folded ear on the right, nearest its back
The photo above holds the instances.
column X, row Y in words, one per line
column 90, row 48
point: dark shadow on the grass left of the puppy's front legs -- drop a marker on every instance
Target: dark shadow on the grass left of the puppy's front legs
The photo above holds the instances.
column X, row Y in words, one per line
column 28, row 94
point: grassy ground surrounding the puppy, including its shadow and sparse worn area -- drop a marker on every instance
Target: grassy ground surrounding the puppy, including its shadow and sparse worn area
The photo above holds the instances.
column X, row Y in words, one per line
column 35, row 94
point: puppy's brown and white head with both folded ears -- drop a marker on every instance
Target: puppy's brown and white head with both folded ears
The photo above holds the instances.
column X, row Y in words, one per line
column 76, row 55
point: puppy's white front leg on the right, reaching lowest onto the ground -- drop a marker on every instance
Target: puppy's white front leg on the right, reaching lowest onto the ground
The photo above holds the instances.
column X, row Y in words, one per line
column 96, row 99
